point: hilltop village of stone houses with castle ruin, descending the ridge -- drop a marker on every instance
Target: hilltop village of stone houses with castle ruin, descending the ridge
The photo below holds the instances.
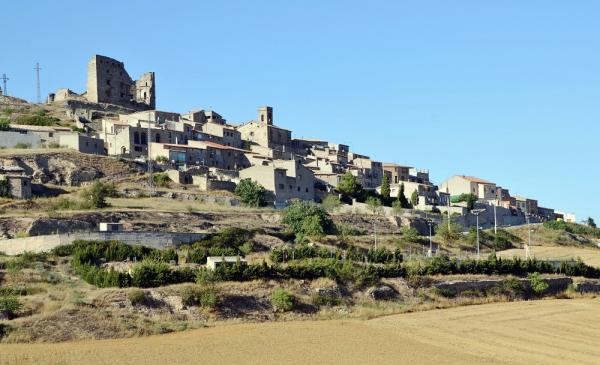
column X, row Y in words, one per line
column 117, row 116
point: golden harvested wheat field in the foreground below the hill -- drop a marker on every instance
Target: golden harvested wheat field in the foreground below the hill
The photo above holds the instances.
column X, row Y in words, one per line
column 533, row 332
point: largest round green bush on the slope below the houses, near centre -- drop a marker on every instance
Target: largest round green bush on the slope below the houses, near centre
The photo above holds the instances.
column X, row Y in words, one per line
column 307, row 219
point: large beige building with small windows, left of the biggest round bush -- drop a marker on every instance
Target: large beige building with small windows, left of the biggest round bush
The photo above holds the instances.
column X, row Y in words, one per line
column 284, row 180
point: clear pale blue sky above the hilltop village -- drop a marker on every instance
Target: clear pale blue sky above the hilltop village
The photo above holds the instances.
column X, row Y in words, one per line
column 507, row 91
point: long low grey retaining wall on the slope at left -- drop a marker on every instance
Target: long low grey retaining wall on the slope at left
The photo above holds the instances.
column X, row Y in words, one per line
column 150, row 239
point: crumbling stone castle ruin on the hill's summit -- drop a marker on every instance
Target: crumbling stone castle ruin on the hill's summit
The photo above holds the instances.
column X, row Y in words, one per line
column 109, row 83
